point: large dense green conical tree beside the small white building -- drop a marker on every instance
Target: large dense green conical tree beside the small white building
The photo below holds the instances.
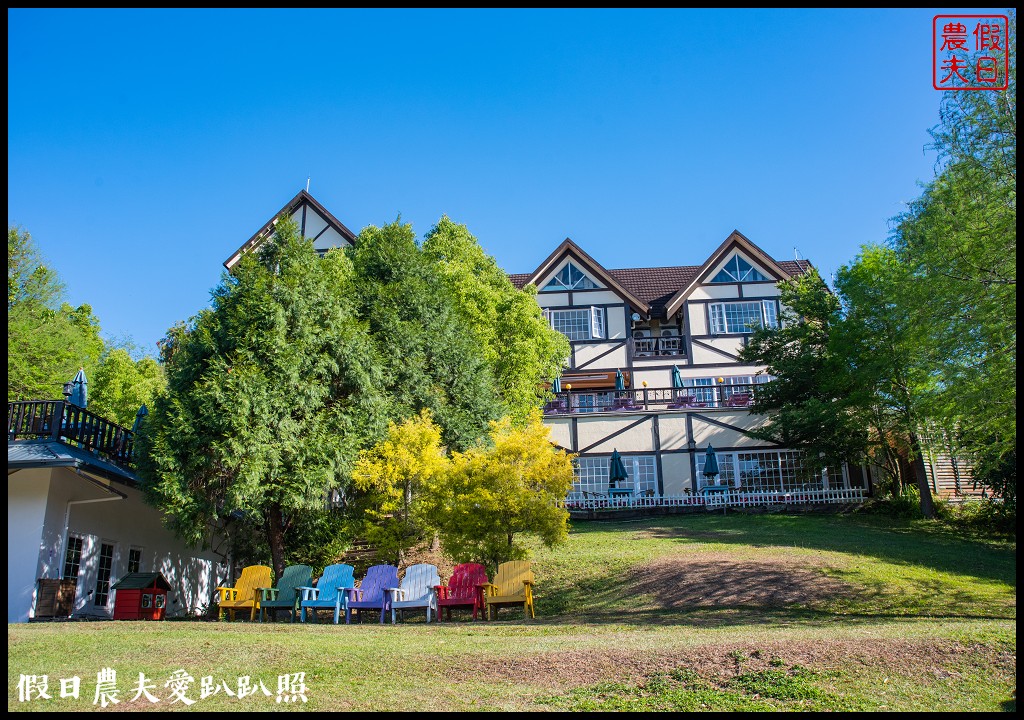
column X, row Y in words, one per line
column 272, row 393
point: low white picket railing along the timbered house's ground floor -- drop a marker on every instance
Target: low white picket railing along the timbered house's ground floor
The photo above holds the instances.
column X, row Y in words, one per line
column 719, row 499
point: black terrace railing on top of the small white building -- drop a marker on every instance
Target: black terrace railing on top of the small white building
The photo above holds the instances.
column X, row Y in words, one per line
column 72, row 426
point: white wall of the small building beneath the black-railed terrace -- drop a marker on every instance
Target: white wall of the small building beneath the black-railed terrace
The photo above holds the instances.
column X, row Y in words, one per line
column 125, row 524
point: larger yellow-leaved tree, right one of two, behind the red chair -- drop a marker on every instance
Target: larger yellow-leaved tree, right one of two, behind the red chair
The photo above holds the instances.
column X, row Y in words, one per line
column 491, row 497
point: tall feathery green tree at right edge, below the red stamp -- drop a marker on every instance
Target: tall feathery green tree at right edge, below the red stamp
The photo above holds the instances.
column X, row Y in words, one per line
column 960, row 240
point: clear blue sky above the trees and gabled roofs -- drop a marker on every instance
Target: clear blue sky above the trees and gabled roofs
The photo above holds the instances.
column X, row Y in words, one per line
column 146, row 146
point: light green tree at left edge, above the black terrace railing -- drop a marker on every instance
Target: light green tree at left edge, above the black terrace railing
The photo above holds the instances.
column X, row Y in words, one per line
column 48, row 340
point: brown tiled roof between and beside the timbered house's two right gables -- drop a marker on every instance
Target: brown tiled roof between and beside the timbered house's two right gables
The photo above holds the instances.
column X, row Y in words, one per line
column 659, row 286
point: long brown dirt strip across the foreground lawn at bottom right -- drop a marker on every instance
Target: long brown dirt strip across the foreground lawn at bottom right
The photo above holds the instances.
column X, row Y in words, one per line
column 720, row 663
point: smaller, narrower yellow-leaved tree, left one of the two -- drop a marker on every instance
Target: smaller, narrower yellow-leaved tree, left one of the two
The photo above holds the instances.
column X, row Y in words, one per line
column 391, row 478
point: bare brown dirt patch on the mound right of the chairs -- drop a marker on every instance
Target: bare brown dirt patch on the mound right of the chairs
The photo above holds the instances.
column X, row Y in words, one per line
column 720, row 581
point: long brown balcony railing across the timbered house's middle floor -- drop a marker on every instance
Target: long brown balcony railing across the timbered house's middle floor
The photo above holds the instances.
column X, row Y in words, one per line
column 652, row 399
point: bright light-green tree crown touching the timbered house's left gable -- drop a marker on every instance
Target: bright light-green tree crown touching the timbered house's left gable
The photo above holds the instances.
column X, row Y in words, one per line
column 519, row 345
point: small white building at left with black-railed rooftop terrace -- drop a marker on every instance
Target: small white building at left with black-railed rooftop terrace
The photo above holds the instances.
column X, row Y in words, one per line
column 77, row 522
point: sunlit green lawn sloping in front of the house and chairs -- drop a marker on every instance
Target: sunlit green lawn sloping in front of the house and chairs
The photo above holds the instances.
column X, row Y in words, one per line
column 744, row 613
